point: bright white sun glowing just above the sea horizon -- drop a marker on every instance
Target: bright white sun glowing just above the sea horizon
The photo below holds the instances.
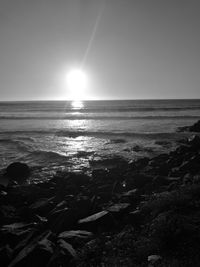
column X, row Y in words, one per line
column 77, row 83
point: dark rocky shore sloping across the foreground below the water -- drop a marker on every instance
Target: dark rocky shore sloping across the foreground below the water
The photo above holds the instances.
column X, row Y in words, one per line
column 140, row 213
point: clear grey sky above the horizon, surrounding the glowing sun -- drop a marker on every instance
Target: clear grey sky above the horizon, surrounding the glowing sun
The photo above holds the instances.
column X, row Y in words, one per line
column 128, row 49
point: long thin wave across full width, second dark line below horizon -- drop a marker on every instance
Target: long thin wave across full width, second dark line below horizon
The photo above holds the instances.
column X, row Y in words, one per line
column 82, row 117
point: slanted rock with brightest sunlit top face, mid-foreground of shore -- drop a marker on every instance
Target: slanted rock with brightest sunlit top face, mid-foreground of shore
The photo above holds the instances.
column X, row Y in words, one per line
column 100, row 220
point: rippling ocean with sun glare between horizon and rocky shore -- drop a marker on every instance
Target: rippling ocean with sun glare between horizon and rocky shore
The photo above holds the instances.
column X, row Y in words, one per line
column 53, row 136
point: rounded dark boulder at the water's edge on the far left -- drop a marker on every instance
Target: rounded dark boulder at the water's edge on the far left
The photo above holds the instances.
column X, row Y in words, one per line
column 18, row 171
